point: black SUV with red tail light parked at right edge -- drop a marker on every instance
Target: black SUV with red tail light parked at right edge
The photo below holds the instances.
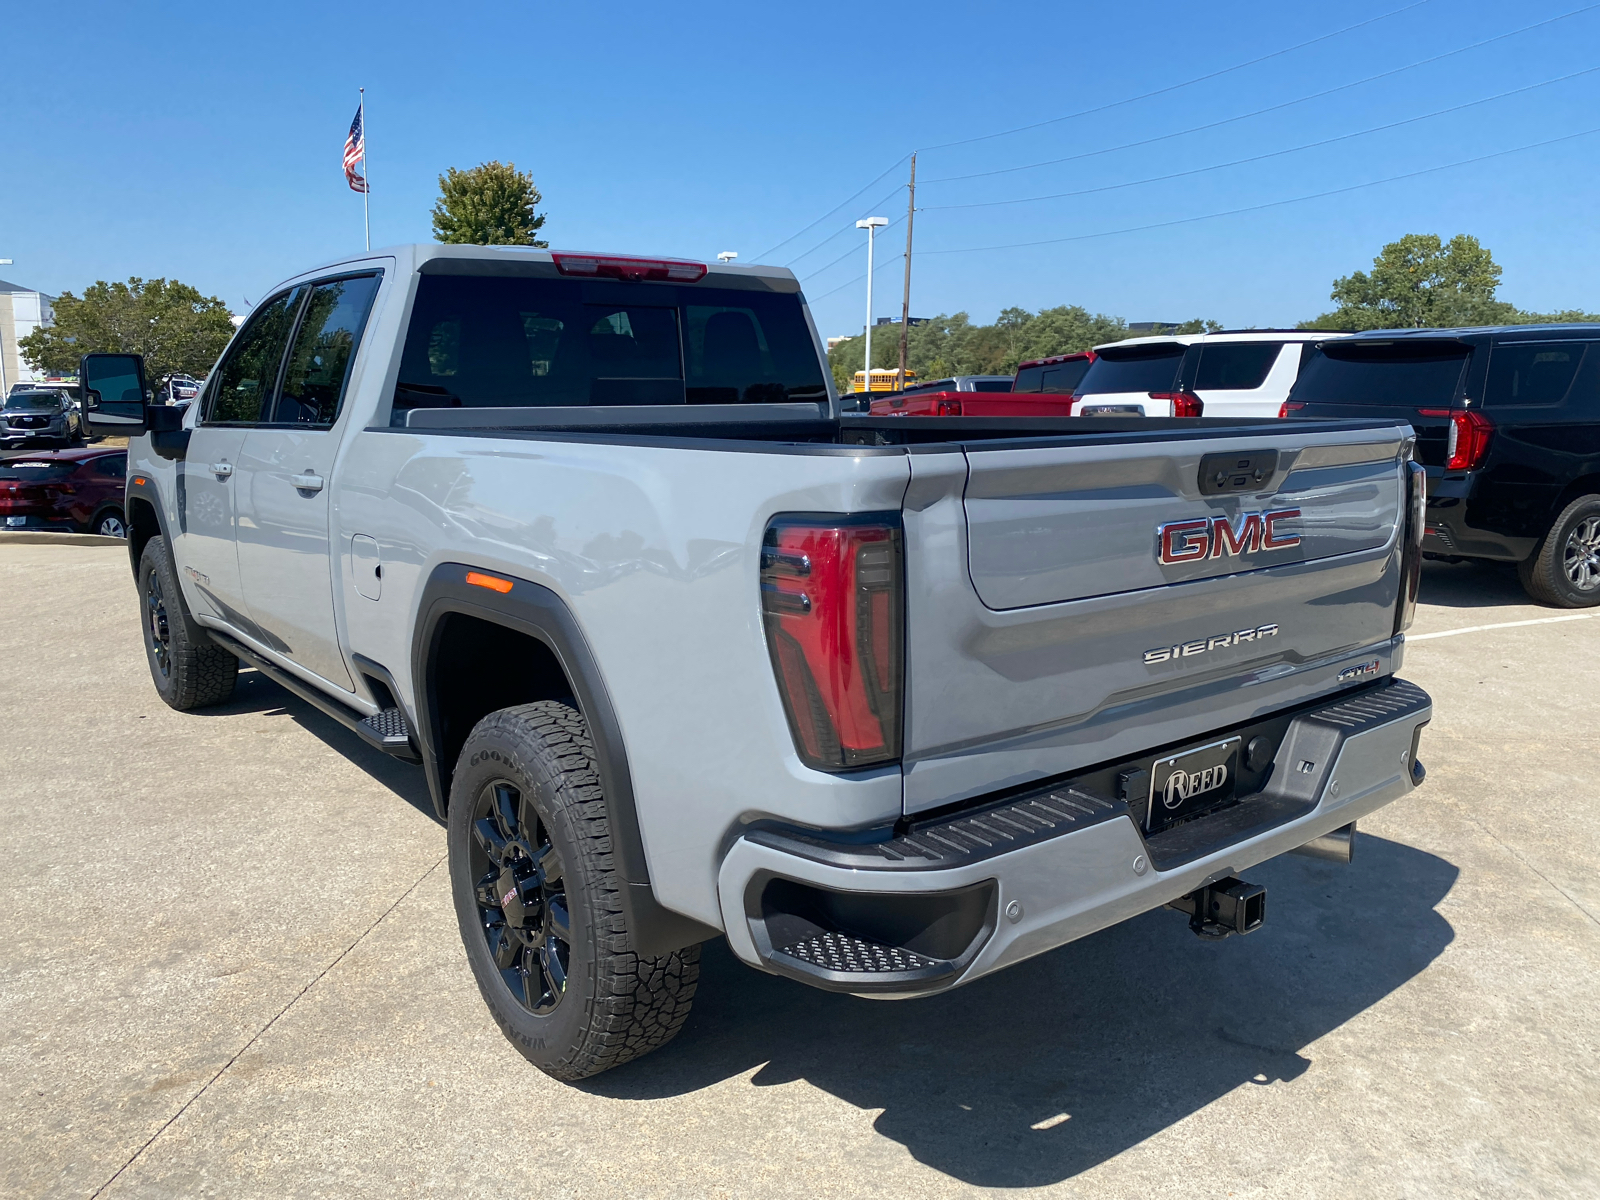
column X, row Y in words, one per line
column 1508, row 426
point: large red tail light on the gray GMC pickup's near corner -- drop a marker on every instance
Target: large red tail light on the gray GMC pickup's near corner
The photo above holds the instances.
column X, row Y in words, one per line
column 833, row 596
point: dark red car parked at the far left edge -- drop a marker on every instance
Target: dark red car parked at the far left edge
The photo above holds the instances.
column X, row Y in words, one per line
column 66, row 489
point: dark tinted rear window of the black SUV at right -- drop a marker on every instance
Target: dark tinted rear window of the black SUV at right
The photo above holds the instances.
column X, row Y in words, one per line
column 1409, row 375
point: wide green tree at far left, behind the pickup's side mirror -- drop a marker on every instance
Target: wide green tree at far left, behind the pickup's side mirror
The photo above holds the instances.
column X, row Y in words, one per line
column 170, row 324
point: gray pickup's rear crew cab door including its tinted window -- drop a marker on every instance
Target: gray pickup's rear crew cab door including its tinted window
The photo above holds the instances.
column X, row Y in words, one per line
column 286, row 479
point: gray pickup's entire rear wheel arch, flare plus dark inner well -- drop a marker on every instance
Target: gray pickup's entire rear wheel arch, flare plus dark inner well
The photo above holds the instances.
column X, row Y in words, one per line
column 478, row 650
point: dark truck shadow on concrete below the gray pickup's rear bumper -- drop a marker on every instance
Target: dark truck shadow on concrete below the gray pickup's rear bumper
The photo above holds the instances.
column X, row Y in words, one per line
column 1049, row 1070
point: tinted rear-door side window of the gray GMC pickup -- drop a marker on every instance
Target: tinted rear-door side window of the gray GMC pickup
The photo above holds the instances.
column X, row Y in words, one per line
column 324, row 350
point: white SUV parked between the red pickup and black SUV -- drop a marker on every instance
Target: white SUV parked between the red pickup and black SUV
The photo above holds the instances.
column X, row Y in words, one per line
column 1233, row 374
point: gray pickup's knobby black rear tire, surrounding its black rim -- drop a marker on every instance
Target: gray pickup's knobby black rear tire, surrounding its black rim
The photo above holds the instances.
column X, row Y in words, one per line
column 617, row 1004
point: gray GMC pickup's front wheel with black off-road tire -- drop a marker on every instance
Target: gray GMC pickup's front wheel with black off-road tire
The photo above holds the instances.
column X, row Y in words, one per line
column 188, row 668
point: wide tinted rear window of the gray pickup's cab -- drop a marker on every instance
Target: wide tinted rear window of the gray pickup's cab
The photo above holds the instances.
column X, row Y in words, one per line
column 542, row 343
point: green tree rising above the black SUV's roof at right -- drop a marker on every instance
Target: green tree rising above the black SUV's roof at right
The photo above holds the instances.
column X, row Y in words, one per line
column 1420, row 282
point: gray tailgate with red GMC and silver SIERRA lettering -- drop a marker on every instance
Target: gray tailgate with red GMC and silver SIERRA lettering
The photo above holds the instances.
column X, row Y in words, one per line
column 1071, row 642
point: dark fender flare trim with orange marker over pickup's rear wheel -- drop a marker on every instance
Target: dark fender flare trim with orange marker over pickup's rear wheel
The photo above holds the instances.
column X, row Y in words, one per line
column 540, row 614
